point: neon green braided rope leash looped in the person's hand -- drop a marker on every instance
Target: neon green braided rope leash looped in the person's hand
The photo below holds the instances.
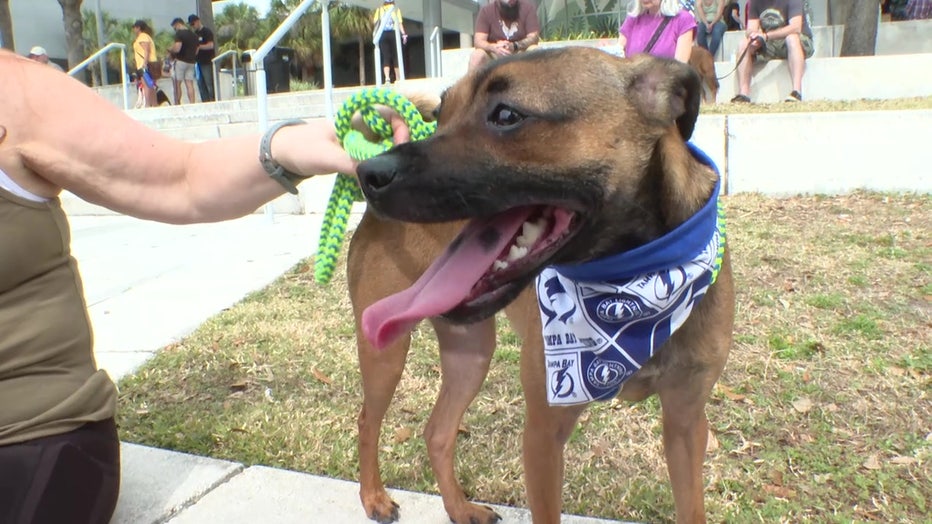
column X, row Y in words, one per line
column 346, row 188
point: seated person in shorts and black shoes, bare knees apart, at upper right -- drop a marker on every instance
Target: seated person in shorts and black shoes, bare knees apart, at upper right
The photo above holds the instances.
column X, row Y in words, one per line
column 775, row 29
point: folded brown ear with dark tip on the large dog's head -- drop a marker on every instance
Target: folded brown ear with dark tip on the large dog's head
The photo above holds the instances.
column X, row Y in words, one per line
column 666, row 91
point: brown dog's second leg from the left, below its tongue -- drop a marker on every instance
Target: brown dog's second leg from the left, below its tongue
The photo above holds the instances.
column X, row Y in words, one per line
column 465, row 354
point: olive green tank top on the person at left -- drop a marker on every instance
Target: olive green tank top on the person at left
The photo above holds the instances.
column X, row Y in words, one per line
column 49, row 381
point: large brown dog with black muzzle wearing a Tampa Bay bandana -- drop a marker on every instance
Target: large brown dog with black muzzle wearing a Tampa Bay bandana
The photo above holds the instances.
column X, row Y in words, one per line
column 572, row 172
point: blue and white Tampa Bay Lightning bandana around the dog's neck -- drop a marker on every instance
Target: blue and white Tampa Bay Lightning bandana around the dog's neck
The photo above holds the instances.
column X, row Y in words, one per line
column 603, row 320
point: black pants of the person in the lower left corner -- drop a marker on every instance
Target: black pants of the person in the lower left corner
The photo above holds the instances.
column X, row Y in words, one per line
column 72, row 478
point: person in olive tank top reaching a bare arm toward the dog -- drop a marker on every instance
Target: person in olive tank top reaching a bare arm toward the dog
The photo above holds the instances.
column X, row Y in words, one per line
column 59, row 446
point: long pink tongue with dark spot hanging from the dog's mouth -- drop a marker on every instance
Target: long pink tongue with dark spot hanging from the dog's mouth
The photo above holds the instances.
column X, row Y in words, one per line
column 446, row 282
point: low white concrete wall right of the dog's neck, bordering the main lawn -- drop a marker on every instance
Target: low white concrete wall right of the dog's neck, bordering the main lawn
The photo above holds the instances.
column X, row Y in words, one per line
column 820, row 153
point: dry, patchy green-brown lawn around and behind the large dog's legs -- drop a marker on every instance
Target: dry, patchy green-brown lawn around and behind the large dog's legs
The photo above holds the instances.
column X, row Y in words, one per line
column 823, row 413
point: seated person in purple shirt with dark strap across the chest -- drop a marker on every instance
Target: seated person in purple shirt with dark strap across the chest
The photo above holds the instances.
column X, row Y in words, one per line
column 644, row 20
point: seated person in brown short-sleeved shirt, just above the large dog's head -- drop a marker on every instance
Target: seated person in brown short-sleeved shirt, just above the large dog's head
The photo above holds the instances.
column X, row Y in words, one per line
column 504, row 27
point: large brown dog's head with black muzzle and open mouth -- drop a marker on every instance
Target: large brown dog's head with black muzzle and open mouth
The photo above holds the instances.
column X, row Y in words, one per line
column 554, row 155
